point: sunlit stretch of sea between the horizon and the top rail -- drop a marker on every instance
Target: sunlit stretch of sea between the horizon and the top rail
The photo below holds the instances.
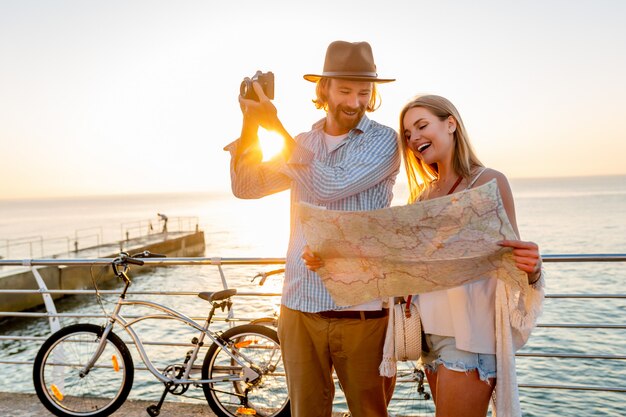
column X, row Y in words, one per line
column 584, row 207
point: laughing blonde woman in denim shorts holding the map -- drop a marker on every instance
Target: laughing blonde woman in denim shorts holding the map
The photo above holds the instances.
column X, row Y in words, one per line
column 472, row 331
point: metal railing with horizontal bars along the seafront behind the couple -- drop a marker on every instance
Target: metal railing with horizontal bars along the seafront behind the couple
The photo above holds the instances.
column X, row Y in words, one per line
column 219, row 262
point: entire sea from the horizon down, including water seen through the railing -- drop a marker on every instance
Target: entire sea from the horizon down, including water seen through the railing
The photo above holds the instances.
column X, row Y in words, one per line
column 572, row 215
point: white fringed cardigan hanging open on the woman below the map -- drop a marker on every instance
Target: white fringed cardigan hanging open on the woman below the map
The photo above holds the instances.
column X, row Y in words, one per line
column 516, row 317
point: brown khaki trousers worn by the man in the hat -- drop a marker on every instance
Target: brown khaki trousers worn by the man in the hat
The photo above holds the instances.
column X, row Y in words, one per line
column 312, row 345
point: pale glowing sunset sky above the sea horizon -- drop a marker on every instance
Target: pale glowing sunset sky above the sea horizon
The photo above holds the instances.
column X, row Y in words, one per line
column 116, row 97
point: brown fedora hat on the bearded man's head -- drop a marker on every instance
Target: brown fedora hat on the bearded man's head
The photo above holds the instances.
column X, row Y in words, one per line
column 349, row 61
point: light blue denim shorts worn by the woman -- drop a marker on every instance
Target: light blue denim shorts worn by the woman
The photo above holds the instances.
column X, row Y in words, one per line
column 443, row 351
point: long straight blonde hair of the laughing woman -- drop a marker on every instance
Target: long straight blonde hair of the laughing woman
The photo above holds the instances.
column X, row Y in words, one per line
column 421, row 175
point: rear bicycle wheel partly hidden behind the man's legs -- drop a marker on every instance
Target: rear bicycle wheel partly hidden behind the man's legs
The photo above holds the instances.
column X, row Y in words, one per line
column 230, row 395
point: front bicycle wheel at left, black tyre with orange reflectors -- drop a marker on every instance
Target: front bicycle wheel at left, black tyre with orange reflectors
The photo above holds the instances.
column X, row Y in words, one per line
column 56, row 372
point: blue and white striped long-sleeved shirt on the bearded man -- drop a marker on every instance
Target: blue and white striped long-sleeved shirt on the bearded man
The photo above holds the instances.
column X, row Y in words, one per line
column 357, row 175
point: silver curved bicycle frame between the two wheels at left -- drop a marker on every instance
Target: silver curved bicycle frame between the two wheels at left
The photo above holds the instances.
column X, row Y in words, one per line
column 116, row 318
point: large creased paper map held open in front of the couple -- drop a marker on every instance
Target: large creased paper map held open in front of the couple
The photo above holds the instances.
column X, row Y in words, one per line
column 426, row 246
